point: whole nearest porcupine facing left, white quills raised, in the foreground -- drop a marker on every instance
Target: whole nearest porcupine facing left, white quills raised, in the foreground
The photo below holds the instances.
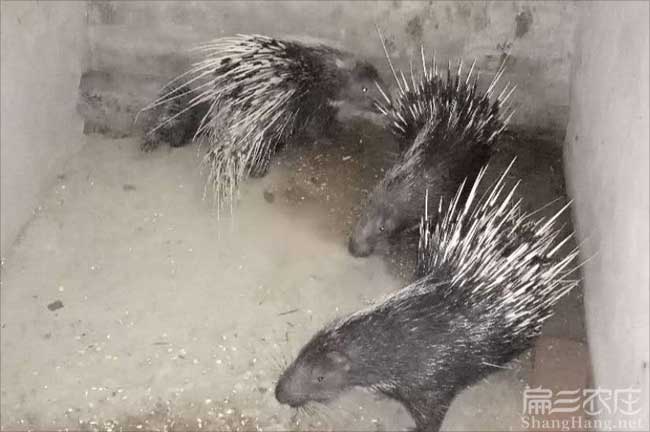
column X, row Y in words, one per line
column 488, row 277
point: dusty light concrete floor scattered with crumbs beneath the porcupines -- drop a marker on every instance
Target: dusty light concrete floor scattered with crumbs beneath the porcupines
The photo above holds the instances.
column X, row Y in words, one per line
column 127, row 304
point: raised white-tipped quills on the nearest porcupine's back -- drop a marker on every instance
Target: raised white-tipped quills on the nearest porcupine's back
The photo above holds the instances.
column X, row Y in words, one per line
column 495, row 258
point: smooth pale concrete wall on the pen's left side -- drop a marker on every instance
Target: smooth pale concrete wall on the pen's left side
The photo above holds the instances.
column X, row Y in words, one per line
column 42, row 46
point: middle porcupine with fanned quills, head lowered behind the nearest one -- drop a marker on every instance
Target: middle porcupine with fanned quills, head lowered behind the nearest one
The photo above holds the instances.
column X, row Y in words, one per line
column 446, row 128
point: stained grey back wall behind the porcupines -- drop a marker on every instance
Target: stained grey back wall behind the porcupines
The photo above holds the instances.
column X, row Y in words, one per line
column 135, row 45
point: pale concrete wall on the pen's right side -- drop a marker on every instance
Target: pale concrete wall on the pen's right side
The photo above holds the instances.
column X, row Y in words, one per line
column 607, row 173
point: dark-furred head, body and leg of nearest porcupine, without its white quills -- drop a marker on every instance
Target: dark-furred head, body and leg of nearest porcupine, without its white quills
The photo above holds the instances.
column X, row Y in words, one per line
column 421, row 351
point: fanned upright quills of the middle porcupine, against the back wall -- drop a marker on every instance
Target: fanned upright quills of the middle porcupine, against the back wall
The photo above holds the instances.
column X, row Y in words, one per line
column 435, row 117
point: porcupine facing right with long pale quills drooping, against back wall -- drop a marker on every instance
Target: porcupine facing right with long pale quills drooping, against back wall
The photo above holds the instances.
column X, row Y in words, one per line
column 255, row 93
